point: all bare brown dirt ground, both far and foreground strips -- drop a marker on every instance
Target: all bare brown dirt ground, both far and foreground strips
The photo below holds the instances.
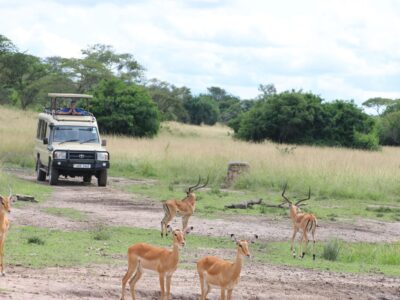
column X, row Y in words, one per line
column 258, row 281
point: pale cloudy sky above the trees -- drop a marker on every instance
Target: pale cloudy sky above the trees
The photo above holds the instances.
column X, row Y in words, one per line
column 337, row 49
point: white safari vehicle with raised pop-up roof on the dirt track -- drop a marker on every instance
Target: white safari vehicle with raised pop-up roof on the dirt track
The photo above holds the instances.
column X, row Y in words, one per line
column 69, row 144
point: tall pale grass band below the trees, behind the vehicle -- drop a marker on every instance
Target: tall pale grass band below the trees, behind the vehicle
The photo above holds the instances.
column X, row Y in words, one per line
column 180, row 153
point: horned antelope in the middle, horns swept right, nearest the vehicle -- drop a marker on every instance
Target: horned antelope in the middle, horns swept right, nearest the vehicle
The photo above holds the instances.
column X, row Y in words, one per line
column 184, row 208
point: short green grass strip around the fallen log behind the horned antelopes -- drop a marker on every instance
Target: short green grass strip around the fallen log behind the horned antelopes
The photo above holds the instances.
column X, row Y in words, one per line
column 211, row 202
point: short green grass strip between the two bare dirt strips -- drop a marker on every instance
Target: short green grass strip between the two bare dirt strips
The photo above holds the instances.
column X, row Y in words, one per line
column 61, row 248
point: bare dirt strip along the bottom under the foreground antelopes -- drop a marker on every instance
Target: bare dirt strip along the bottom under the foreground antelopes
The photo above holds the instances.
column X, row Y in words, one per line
column 257, row 282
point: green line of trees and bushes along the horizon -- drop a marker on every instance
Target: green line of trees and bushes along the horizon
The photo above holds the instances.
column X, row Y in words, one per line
column 126, row 102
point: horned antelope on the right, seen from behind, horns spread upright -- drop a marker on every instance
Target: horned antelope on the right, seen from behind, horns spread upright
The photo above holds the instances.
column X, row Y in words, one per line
column 301, row 222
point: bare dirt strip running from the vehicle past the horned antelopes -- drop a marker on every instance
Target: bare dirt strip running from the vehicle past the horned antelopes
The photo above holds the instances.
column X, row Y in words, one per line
column 112, row 207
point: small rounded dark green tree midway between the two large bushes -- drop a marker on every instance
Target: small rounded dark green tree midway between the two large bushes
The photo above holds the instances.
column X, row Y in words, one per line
column 202, row 109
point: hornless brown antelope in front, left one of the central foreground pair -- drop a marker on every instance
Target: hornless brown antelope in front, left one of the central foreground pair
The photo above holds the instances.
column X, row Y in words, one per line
column 144, row 256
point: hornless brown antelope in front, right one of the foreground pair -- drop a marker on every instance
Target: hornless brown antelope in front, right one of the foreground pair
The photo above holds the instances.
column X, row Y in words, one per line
column 216, row 272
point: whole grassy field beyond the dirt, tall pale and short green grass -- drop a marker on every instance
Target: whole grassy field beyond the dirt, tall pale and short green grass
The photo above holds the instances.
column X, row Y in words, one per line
column 345, row 183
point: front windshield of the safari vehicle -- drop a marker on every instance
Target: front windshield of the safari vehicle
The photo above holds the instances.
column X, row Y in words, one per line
column 79, row 134
